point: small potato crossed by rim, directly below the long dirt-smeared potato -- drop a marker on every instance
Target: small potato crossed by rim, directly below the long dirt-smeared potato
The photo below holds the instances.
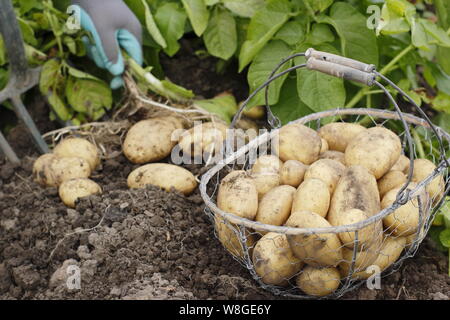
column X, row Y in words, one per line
column 366, row 235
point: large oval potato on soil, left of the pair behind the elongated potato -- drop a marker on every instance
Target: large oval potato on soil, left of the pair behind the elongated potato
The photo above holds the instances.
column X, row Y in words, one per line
column 151, row 140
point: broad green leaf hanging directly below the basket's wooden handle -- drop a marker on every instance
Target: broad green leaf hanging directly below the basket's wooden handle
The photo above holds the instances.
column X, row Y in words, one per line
column 317, row 90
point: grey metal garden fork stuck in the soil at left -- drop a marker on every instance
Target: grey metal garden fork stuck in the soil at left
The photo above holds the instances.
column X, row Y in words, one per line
column 21, row 79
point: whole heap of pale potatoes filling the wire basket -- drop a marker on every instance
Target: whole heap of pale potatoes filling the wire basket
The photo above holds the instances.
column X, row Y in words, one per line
column 340, row 175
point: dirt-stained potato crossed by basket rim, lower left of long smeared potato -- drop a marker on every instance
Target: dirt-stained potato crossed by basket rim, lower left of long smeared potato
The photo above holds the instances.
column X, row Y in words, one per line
column 323, row 249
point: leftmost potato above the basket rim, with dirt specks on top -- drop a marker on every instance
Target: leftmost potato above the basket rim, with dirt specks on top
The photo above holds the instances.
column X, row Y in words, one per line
column 238, row 195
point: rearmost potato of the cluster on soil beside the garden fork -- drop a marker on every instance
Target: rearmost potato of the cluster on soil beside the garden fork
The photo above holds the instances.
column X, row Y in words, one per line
column 79, row 148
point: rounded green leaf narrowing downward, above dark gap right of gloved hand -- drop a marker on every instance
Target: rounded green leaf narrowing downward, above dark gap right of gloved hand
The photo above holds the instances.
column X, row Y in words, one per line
column 171, row 20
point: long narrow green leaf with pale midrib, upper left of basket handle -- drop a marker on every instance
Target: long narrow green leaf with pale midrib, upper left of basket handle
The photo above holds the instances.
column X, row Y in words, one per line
column 263, row 26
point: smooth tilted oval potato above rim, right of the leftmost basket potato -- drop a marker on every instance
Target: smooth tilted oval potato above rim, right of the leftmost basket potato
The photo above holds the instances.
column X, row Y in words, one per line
column 275, row 207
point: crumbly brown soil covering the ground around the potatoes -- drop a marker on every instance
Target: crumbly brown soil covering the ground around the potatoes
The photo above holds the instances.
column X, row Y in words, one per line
column 144, row 244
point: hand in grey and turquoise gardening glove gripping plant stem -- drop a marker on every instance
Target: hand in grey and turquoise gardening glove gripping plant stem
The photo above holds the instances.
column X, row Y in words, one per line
column 112, row 25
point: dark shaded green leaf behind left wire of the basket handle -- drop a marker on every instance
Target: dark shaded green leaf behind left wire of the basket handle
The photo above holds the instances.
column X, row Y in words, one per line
column 290, row 107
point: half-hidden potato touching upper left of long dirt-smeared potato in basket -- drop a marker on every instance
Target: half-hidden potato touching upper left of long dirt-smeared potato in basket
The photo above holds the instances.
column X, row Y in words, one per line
column 329, row 171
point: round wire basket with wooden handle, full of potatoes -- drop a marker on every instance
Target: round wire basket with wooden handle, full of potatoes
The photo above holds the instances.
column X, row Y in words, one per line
column 357, row 262
